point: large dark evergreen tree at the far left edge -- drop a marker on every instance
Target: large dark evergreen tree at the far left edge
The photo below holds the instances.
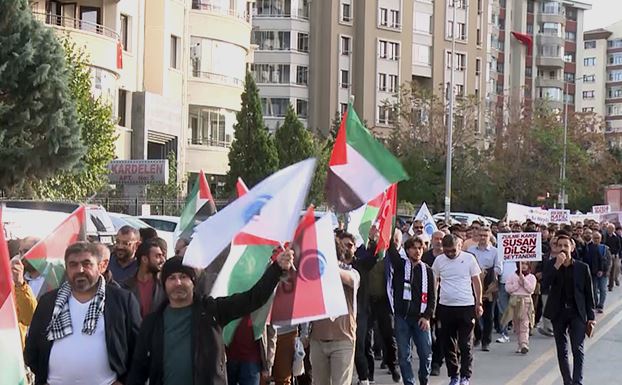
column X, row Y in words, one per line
column 39, row 126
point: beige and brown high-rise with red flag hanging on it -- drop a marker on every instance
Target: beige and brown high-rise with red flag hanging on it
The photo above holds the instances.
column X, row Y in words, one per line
column 519, row 77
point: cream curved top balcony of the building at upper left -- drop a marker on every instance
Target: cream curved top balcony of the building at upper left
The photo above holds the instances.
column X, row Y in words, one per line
column 98, row 41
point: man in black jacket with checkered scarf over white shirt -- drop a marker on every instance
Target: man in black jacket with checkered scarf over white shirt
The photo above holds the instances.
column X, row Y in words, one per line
column 85, row 331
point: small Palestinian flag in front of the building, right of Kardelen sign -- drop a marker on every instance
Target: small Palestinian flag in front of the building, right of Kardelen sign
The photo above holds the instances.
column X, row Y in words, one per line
column 199, row 206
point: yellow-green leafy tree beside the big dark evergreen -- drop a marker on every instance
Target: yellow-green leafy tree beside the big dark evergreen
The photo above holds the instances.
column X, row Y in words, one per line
column 98, row 136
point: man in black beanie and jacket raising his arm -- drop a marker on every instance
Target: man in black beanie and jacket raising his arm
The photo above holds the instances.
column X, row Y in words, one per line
column 182, row 343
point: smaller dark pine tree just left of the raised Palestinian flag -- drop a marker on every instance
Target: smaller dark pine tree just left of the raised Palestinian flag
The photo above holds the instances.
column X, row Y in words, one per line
column 293, row 141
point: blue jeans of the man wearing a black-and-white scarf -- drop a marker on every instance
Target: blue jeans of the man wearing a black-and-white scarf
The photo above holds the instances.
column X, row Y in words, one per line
column 407, row 332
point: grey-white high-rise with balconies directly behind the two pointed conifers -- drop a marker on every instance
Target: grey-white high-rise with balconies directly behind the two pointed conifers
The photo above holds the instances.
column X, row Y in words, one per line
column 281, row 66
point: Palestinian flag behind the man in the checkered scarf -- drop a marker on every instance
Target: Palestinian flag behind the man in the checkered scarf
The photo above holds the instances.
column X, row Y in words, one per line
column 48, row 255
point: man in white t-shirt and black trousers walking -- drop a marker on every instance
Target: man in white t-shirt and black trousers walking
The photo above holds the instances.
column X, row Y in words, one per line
column 460, row 304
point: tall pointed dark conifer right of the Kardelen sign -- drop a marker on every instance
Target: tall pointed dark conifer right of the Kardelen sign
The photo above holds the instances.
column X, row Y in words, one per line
column 253, row 155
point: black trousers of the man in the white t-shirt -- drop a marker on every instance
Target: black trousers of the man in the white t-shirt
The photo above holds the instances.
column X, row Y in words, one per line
column 457, row 333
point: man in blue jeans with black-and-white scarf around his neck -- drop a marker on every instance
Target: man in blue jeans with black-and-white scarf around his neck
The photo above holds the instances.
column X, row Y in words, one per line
column 414, row 298
